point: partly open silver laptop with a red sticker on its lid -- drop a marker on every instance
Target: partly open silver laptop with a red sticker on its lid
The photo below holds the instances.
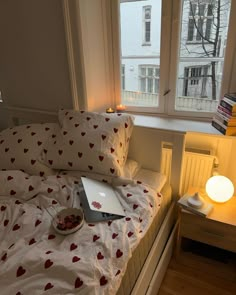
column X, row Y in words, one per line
column 99, row 201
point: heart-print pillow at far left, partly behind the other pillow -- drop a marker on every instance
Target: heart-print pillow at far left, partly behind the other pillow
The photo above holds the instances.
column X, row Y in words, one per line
column 21, row 146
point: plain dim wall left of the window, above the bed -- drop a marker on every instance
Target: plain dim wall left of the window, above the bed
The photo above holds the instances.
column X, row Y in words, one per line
column 33, row 57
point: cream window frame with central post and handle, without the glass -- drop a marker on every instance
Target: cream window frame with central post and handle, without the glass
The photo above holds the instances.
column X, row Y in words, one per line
column 170, row 33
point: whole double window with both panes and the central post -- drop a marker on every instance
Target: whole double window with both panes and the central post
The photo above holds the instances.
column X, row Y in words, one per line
column 183, row 67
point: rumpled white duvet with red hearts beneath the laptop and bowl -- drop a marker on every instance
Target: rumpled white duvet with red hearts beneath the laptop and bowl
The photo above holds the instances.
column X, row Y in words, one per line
column 34, row 258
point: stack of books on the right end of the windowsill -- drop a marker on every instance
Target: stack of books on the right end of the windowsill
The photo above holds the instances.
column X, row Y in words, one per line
column 224, row 119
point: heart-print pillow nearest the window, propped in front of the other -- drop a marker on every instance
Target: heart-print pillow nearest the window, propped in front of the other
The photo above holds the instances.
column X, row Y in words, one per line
column 89, row 141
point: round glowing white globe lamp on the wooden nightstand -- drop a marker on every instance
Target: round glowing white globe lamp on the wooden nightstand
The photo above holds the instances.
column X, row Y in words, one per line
column 219, row 188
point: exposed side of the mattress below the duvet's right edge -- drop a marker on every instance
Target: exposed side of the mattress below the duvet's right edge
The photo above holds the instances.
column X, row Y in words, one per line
column 140, row 254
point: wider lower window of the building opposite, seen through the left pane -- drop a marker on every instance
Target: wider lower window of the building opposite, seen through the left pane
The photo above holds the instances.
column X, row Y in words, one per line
column 149, row 78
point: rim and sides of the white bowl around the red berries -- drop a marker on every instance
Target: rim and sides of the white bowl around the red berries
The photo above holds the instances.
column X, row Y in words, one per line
column 62, row 214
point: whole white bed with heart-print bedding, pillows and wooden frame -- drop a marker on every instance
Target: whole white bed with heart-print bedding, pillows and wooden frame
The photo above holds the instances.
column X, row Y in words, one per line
column 34, row 257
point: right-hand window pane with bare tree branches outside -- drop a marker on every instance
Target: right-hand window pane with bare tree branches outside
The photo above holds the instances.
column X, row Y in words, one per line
column 200, row 64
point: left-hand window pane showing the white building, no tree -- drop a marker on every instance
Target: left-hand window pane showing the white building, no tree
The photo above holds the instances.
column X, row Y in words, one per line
column 140, row 25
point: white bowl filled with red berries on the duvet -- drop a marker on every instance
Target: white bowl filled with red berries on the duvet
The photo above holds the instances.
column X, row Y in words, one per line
column 68, row 221
